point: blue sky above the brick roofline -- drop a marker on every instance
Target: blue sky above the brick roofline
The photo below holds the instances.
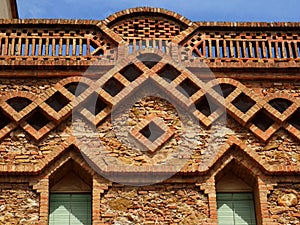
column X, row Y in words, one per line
column 196, row 10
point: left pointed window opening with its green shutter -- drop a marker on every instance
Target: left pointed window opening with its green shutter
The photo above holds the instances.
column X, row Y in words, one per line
column 70, row 196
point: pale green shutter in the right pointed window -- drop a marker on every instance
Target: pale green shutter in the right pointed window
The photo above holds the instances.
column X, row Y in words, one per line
column 236, row 209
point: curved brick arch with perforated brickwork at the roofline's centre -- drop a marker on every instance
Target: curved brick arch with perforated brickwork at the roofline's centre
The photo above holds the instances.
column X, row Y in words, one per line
column 130, row 24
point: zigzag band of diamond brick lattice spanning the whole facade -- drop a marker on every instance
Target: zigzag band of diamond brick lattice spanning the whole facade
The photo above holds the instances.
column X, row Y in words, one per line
column 263, row 116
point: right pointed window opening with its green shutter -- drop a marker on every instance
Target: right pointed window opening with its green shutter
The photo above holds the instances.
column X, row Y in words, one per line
column 235, row 187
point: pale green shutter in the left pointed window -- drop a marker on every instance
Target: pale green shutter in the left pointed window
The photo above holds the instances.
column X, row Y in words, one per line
column 70, row 209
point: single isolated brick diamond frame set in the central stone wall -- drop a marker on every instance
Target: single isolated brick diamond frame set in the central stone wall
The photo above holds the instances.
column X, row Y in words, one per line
column 152, row 133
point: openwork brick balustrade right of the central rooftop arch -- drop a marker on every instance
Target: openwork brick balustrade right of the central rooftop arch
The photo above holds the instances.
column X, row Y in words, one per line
column 245, row 45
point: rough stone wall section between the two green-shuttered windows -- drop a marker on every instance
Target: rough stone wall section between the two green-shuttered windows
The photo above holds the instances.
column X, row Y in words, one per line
column 157, row 204
